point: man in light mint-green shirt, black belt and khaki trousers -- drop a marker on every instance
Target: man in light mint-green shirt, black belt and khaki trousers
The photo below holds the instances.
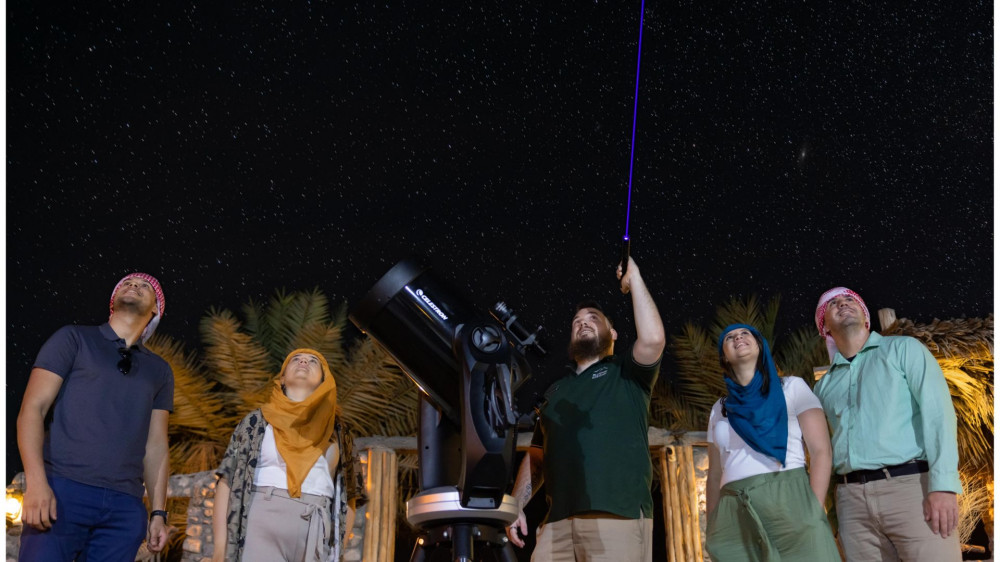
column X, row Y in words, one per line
column 895, row 451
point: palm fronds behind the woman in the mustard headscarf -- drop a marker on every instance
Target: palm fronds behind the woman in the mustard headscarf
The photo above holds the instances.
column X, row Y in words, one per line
column 239, row 361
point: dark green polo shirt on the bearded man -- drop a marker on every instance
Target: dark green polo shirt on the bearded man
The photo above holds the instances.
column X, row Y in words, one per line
column 593, row 431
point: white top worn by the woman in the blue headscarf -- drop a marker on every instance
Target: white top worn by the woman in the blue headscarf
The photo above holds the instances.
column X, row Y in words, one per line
column 739, row 460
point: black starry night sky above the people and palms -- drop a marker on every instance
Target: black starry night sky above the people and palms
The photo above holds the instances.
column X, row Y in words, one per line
column 233, row 148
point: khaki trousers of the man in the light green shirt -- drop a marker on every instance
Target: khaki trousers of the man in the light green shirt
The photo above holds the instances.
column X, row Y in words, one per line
column 883, row 521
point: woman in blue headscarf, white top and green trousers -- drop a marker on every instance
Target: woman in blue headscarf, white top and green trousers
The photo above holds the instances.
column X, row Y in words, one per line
column 762, row 504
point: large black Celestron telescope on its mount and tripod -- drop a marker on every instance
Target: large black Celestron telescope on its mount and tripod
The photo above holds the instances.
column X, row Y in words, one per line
column 469, row 367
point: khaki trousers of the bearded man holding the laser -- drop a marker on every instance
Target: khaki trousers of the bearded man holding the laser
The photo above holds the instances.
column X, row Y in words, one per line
column 595, row 538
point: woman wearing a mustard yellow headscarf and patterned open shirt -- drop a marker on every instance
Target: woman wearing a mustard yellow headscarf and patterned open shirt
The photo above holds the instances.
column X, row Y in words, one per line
column 286, row 487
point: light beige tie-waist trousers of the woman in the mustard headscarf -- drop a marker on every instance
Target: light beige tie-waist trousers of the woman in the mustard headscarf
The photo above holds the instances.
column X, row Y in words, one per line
column 282, row 528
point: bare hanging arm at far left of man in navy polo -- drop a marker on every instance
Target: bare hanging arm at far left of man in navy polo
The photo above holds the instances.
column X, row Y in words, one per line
column 39, row 501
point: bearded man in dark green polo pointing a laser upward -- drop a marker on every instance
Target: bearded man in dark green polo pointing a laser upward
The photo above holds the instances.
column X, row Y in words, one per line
column 592, row 435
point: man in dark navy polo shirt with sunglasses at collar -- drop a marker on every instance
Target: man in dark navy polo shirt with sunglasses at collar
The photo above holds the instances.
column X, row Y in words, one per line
column 108, row 400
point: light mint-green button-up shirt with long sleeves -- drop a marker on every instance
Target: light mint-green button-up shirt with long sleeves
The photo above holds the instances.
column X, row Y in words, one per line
column 890, row 405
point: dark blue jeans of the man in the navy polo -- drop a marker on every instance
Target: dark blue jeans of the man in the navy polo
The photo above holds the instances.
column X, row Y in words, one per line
column 92, row 524
